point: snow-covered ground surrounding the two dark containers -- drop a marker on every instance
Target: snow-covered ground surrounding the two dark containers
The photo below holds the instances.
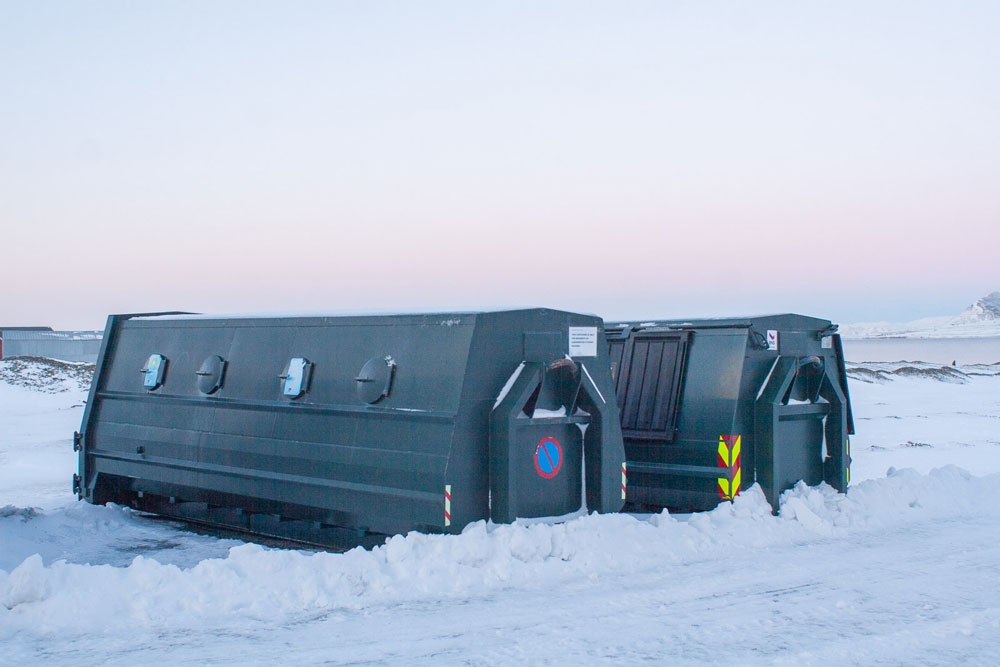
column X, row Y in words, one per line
column 903, row 569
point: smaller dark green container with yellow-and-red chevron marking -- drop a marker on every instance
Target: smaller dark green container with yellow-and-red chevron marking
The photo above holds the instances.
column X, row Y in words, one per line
column 708, row 407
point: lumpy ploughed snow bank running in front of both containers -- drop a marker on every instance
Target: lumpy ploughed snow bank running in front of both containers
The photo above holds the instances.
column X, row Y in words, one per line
column 273, row 585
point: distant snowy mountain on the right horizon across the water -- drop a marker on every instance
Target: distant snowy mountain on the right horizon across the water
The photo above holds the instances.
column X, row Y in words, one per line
column 978, row 320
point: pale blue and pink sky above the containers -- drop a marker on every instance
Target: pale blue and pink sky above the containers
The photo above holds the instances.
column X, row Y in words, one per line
column 640, row 159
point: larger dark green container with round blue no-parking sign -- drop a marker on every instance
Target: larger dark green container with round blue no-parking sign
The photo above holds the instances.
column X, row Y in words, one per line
column 342, row 430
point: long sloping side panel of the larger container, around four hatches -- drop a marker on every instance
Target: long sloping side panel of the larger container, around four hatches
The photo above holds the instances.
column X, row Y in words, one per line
column 377, row 466
